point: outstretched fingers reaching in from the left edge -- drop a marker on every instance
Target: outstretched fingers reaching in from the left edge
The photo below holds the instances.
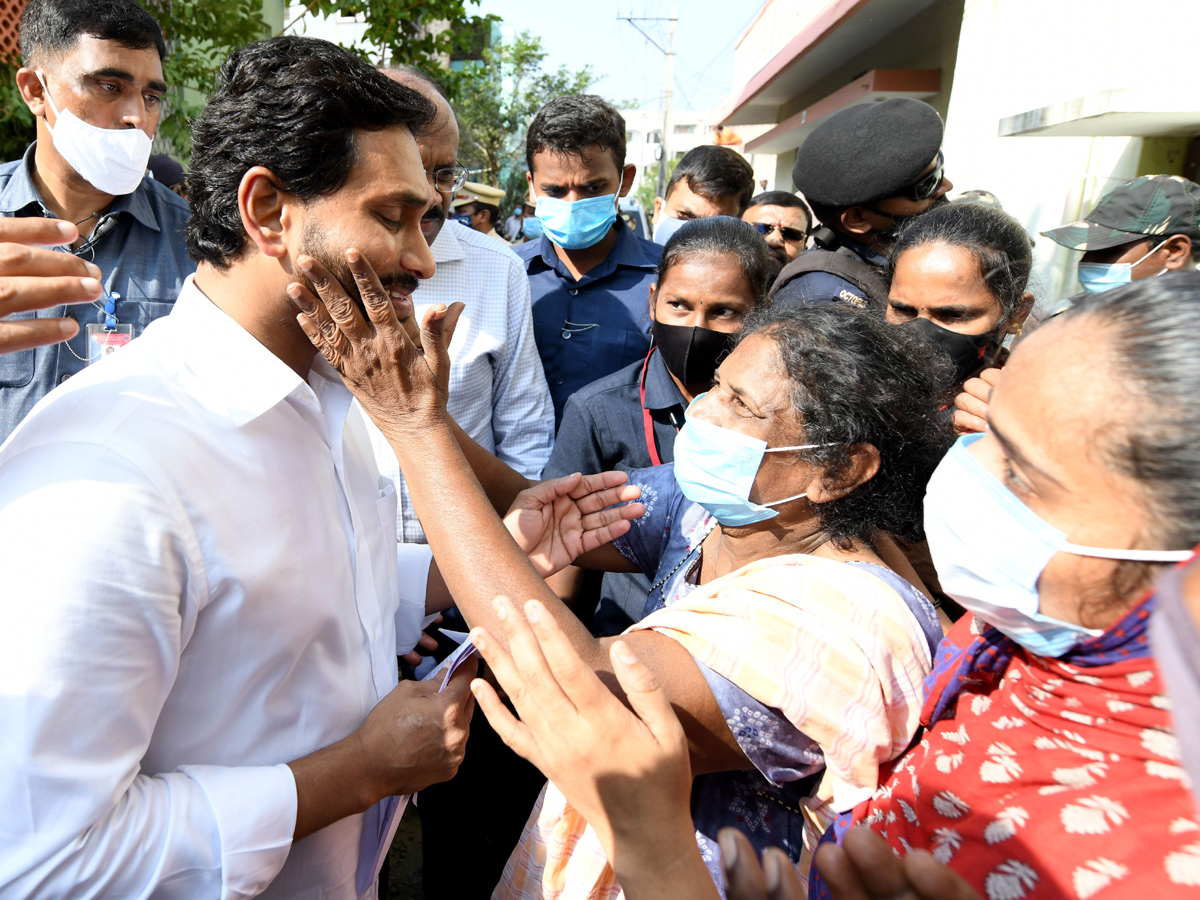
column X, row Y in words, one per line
column 37, row 279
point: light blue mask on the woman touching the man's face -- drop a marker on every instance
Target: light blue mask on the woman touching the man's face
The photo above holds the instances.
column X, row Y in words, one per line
column 716, row 467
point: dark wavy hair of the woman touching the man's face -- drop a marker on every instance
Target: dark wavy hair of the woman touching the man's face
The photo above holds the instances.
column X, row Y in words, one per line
column 859, row 381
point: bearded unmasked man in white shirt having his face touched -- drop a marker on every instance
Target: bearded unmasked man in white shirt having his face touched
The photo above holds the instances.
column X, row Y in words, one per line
column 202, row 599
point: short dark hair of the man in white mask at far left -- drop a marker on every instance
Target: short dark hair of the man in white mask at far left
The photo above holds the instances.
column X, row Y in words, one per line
column 52, row 27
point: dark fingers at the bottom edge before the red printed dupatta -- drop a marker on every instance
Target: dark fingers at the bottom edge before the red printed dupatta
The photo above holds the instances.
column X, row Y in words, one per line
column 865, row 868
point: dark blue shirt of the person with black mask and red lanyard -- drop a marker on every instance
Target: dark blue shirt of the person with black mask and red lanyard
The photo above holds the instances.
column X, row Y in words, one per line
column 604, row 429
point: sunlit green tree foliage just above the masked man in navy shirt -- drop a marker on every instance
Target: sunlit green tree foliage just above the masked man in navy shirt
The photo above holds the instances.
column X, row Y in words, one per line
column 497, row 103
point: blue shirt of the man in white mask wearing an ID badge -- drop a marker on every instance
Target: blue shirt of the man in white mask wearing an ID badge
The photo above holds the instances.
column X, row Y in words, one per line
column 142, row 254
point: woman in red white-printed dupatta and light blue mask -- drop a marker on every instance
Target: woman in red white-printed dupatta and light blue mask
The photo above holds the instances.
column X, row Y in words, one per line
column 1048, row 765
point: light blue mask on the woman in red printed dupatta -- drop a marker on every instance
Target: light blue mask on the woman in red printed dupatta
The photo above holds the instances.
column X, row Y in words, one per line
column 989, row 550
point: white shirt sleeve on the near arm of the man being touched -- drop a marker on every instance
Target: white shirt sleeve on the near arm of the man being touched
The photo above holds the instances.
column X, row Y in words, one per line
column 91, row 646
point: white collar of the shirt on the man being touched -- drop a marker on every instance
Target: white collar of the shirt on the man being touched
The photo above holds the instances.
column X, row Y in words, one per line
column 235, row 374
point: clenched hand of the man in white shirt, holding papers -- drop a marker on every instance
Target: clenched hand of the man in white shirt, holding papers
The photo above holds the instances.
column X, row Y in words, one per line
column 417, row 737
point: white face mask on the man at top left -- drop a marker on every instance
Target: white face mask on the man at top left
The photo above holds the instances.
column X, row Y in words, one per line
column 111, row 160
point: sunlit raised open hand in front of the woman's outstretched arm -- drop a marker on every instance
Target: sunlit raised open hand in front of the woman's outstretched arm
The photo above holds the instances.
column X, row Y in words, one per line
column 628, row 773
